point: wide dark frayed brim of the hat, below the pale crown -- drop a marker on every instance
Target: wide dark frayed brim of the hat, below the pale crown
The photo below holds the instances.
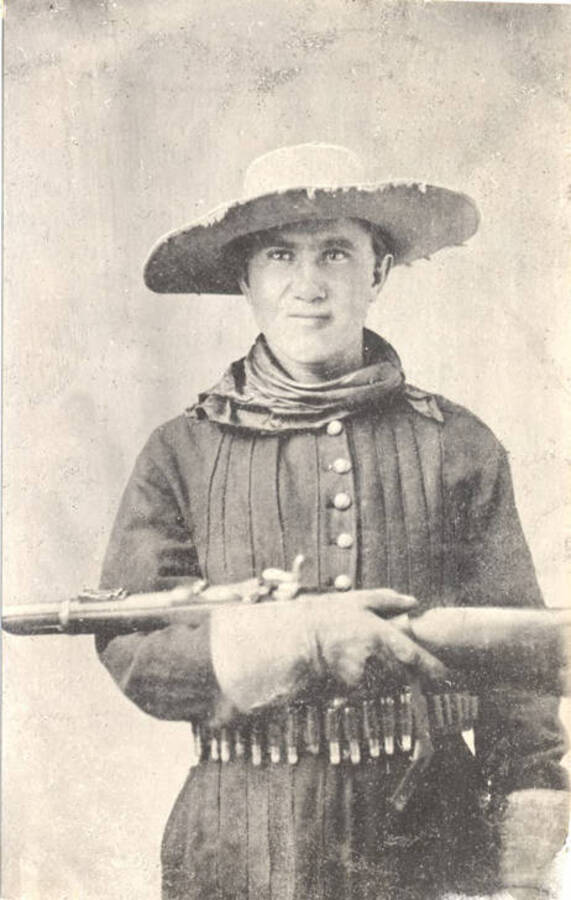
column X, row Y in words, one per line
column 416, row 219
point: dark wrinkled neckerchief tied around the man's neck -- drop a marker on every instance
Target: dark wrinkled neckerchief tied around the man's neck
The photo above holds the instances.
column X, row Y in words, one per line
column 256, row 393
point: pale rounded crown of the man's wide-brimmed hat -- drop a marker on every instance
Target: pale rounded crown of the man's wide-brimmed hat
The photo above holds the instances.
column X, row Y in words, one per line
column 302, row 165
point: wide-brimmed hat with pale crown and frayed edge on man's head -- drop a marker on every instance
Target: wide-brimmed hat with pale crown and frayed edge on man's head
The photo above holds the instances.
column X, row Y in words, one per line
column 297, row 184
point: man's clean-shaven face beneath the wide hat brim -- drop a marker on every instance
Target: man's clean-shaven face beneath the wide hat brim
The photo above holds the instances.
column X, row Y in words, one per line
column 310, row 286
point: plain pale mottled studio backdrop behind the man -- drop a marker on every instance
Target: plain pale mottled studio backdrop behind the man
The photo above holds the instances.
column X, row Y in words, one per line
column 126, row 119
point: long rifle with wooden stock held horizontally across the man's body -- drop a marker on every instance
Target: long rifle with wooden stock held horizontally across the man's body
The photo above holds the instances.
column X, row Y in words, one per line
column 488, row 646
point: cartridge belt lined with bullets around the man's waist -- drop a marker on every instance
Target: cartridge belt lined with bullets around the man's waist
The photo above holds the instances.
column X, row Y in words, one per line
column 343, row 730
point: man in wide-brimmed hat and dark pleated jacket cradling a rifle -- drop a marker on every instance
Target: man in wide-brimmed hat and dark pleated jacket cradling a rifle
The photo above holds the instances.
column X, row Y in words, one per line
column 315, row 446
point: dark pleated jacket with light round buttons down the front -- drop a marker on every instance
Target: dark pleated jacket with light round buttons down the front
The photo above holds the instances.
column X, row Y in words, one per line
column 432, row 514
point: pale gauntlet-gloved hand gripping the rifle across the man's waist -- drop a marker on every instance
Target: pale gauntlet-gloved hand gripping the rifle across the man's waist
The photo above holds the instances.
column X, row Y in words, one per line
column 269, row 652
